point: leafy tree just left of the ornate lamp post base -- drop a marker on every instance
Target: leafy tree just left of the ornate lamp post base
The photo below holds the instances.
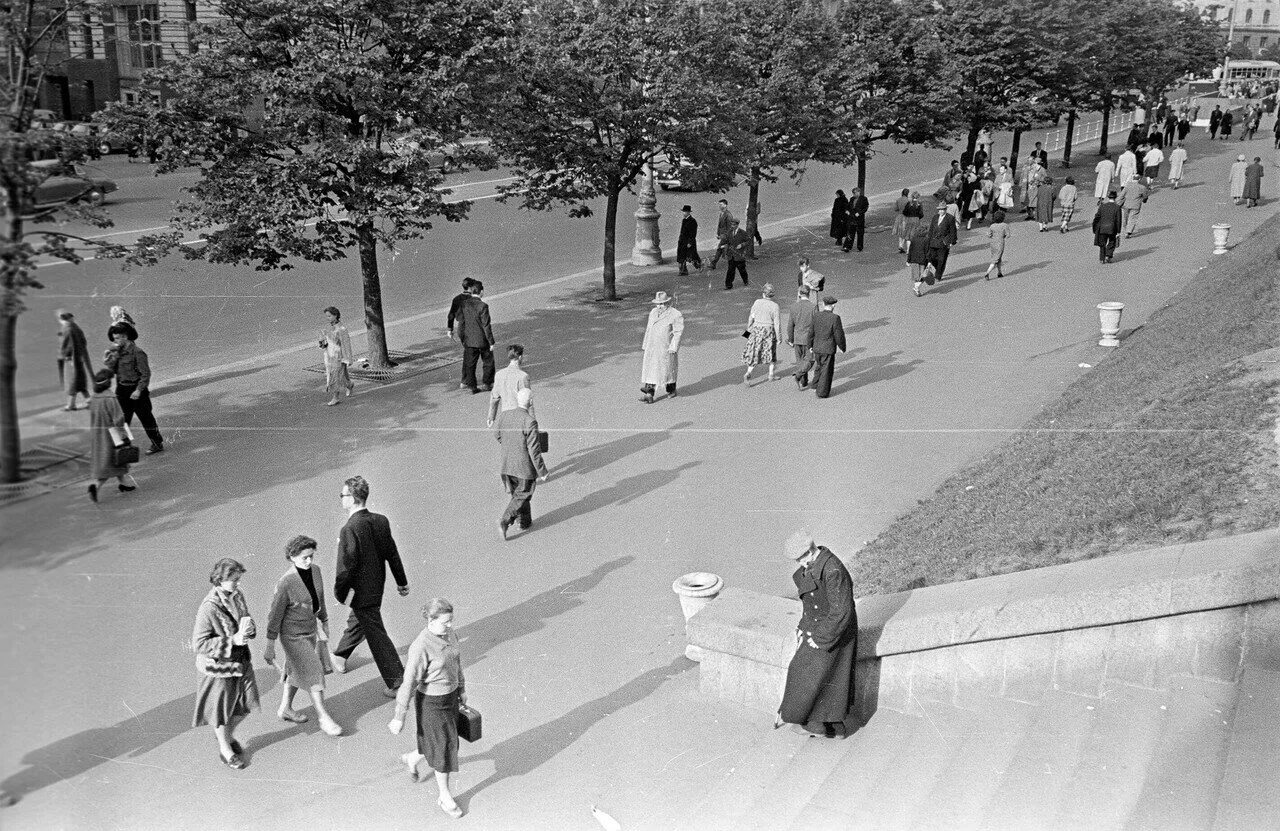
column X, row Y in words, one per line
column 595, row 92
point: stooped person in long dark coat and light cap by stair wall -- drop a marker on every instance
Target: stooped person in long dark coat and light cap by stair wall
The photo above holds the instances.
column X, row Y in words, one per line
column 820, row 687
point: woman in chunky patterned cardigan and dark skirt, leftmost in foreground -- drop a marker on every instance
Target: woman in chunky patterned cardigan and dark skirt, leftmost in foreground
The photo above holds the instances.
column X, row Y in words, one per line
column 228, row 688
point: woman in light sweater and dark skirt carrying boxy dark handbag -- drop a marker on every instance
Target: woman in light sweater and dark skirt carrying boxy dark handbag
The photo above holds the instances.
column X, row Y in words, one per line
column 435, row 681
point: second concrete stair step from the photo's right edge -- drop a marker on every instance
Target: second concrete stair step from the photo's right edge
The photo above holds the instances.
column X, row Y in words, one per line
column 1185, row 777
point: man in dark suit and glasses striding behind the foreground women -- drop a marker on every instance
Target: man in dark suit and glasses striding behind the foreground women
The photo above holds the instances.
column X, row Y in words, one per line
column 365, row 550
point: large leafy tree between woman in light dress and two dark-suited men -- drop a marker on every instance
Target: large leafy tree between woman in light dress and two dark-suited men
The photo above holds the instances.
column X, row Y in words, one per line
column 312, row 172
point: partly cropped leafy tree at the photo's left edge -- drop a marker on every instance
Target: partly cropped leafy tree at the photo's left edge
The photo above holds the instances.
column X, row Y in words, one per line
column 35, row 36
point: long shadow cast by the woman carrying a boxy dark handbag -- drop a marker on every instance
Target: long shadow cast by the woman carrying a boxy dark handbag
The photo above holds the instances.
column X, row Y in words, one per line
column 528, row 751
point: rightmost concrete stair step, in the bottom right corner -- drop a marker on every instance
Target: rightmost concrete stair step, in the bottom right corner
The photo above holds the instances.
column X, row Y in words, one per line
column 1250, row 796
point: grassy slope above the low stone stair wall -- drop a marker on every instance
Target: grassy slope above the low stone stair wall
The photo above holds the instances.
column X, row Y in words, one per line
column 1169, row 440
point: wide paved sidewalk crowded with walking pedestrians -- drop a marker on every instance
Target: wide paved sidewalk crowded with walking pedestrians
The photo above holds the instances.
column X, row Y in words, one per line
column 572, row 637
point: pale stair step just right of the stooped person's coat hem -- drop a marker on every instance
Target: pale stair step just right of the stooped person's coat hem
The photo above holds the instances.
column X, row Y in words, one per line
column 880, row 787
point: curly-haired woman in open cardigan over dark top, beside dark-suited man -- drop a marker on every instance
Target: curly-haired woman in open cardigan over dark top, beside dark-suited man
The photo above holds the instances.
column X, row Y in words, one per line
column 300, row 622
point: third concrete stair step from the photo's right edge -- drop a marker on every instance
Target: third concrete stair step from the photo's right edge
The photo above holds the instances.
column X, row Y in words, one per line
column 1108, row 780
